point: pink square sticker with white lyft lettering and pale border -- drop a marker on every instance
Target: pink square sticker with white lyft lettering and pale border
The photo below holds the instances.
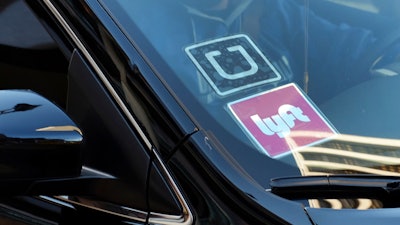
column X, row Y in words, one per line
column 281, row 120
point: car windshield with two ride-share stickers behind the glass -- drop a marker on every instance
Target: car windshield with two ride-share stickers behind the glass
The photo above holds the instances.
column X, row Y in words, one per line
column 310, row 84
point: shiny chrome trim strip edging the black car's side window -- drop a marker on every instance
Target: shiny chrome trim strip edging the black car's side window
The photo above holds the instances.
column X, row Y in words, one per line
column 156, row 218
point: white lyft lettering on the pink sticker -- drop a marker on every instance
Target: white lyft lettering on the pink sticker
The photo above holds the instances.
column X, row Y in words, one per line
column 282, row 122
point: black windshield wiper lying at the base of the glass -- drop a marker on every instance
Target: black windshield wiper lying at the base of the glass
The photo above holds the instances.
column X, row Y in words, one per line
column 338, row 186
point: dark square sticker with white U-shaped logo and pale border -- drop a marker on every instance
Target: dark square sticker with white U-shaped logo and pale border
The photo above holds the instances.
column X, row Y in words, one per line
column 232, row 63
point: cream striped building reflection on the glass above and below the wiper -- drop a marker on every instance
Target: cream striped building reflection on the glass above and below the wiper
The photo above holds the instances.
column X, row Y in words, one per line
column 350, row 154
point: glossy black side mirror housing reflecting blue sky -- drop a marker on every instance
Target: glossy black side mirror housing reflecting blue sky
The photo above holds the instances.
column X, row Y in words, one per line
column 37, row 139
